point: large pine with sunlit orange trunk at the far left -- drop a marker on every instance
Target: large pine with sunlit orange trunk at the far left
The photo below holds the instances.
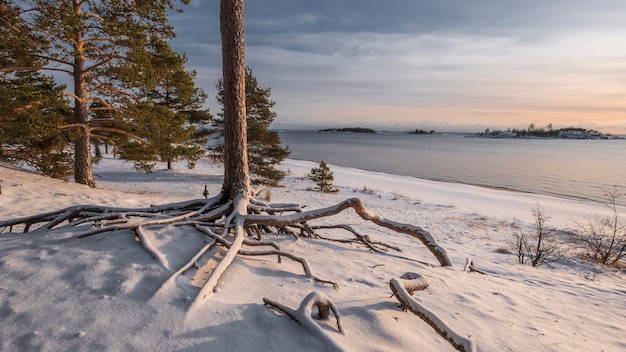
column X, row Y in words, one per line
column 101, row 45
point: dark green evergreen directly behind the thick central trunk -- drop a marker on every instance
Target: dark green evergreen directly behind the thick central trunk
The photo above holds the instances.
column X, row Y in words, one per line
column 264, row 147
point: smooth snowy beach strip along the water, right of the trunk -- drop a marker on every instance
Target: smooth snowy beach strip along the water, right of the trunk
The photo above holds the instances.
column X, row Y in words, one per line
column 502, row 204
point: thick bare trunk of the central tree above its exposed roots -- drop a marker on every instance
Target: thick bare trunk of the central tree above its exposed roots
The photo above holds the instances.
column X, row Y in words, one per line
column 236, row 173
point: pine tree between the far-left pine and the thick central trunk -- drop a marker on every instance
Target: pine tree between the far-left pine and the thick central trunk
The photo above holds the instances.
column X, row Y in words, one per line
column 171, row 118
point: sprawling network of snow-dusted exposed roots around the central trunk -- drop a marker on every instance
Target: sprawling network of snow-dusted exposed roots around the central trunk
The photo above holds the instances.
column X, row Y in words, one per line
column 231, row 225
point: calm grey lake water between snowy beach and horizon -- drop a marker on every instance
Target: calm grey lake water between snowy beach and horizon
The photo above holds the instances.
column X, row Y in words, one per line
column 577, row 169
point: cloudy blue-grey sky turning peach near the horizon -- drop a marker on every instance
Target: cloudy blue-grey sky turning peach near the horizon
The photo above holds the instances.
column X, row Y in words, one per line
column 448, row 65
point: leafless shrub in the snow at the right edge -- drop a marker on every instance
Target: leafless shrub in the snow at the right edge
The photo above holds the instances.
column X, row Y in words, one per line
column 603, row 239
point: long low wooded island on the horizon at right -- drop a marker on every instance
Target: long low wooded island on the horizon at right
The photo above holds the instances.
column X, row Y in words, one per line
column 531, row 132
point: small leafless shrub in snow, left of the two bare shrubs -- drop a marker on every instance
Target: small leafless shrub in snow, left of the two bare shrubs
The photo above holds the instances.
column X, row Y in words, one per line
column 539, row 246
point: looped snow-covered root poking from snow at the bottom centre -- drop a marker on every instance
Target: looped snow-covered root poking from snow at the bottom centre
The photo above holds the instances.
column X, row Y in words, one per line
column 303, row 315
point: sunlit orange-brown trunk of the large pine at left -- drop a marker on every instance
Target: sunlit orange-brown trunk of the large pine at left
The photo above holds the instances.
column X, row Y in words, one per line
column 83, row 172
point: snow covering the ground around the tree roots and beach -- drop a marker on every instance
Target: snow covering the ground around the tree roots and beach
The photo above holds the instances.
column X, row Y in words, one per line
column 107, row 293
